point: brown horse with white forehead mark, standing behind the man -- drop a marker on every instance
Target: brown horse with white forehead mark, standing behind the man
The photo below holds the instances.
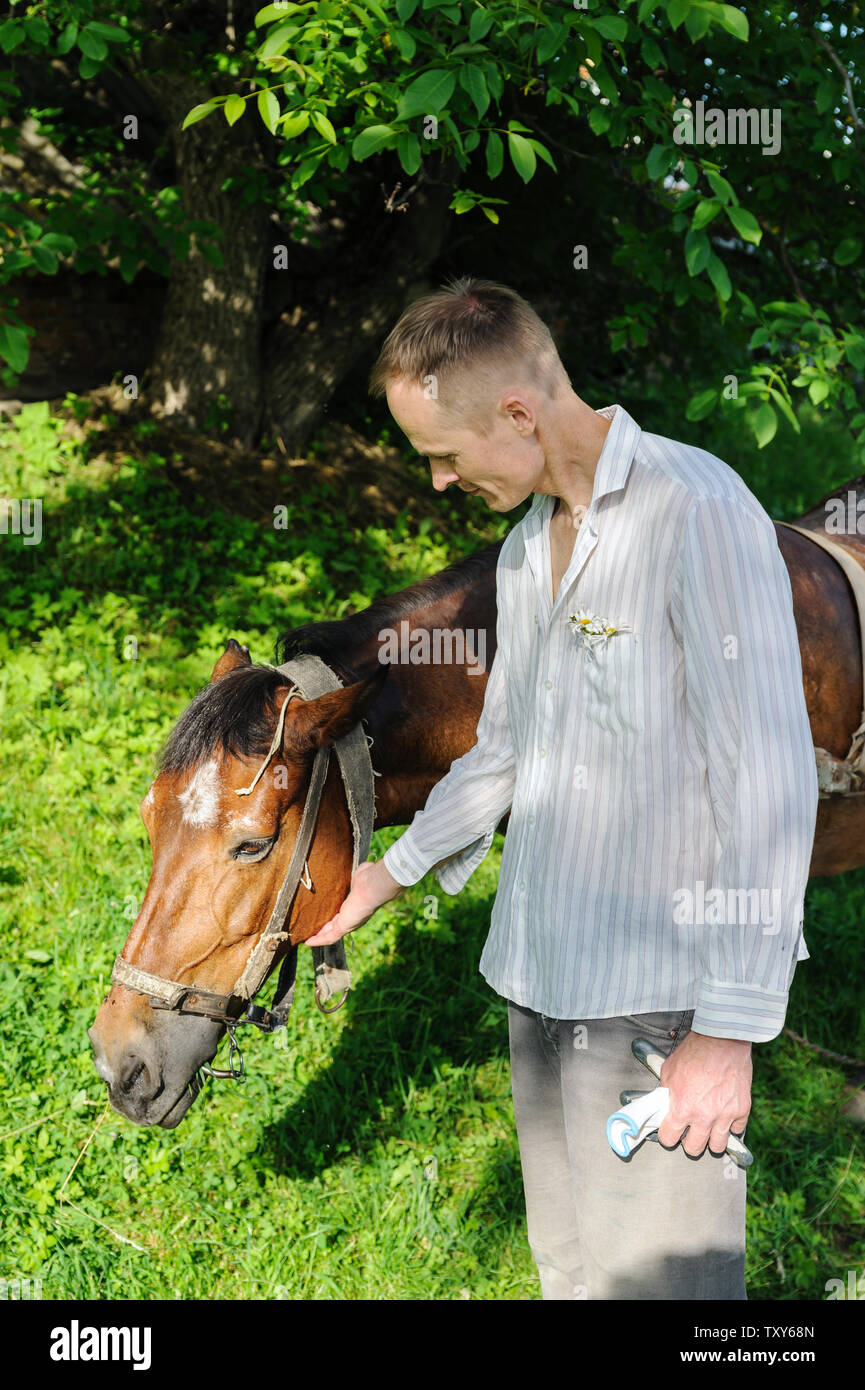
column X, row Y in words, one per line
column 218, row 862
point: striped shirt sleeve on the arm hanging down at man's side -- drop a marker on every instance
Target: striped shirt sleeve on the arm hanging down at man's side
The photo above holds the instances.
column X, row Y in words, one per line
column 734, row 605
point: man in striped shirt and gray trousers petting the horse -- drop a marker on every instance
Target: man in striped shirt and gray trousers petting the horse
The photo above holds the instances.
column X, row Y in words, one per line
column 646, row 726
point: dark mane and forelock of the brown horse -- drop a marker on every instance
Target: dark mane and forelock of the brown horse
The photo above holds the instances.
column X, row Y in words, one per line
column 236, row 715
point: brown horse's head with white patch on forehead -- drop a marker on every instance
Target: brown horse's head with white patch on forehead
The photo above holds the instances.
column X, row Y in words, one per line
column 220, row 854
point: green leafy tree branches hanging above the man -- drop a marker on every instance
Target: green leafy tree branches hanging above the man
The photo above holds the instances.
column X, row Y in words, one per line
column 760, row 250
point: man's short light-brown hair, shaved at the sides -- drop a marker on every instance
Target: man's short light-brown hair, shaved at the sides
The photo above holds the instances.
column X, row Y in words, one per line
column 469, row 326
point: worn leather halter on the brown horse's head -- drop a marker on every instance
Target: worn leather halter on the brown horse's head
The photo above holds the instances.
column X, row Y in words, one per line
column 309, row 678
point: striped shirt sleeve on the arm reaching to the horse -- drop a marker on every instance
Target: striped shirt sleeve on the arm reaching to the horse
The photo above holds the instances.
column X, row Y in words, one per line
column 458, row 822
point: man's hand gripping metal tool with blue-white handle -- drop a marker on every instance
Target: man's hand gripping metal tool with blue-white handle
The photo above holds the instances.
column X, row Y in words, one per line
column 710, row 1084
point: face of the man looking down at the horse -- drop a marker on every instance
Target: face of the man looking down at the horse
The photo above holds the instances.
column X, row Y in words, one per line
column 501, row 466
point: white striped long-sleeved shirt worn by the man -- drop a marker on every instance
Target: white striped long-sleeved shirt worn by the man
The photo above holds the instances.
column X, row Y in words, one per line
column 678, row 761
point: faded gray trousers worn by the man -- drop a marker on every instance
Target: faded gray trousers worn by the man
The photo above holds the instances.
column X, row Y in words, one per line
column 658, row 1225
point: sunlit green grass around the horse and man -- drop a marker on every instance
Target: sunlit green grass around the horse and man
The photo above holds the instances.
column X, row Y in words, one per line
column 371, row 1156
